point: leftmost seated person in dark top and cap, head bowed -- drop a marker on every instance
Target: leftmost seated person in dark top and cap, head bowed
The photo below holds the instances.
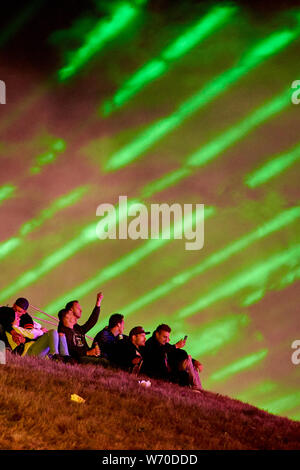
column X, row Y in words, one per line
column 7, row 317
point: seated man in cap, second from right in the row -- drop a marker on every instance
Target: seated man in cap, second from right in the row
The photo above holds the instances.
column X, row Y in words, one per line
column 128, row 354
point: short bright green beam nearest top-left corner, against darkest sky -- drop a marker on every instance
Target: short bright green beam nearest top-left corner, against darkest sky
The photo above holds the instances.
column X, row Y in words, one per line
column 104, row 31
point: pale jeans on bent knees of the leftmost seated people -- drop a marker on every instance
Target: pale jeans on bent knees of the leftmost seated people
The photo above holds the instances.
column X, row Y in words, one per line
column 49, row 343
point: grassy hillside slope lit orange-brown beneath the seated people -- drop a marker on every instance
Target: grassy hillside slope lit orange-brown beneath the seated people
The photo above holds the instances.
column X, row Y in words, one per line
column 36, row 412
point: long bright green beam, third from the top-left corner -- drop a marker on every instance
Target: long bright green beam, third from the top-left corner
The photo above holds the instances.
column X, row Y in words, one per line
column 130, row 152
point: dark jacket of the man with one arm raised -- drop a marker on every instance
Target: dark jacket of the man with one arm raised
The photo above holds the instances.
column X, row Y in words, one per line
column 75, row 337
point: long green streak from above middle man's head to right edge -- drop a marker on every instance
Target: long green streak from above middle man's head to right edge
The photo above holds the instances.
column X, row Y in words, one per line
column 277, row 223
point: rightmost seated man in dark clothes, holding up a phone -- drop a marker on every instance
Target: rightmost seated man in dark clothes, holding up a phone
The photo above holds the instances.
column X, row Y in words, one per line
column 167, row 362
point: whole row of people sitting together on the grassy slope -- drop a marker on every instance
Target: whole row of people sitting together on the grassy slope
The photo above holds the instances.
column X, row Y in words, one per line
column 154, row 357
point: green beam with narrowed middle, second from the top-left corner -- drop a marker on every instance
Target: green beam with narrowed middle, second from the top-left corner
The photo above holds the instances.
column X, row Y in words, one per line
column 216, row 17
